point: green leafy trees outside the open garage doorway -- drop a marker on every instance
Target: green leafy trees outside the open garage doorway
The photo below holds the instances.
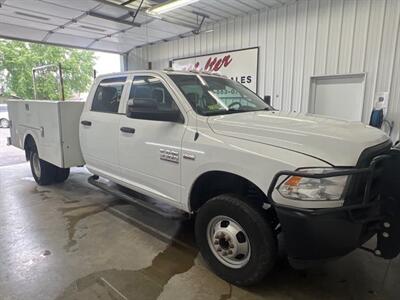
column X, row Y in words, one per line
column 17, row 59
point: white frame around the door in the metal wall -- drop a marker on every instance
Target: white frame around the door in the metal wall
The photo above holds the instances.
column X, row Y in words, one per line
column 313, row 87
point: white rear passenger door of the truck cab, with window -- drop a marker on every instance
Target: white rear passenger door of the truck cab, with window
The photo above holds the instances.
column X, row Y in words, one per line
column 99, row 128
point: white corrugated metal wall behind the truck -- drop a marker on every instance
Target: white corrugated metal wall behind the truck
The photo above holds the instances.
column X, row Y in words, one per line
column 305, row 38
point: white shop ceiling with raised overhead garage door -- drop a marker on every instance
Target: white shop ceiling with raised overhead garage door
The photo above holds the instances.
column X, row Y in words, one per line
column 116, row 26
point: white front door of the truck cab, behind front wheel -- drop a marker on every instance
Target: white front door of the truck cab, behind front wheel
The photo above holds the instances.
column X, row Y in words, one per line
column 149, row 145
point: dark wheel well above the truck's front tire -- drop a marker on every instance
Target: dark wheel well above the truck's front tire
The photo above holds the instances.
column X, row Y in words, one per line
column 215, row 183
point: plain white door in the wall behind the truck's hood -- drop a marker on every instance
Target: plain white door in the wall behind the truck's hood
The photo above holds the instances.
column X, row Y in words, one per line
column 339, row 96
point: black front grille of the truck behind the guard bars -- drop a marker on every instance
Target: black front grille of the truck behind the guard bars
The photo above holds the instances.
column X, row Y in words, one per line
column 358, row 183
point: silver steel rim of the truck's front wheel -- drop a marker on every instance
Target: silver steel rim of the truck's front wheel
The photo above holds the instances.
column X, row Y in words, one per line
column 229, row 242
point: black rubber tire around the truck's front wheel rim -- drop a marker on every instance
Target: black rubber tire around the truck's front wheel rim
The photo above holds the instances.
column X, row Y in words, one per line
column 262, row 240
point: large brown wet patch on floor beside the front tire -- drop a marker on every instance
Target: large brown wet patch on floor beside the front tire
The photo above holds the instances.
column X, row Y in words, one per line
column 143, row 284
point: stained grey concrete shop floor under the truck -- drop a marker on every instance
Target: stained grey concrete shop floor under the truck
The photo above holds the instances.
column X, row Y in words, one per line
column 72, row 241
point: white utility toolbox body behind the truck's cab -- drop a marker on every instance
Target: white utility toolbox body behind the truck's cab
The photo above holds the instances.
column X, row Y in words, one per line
column 54, row 125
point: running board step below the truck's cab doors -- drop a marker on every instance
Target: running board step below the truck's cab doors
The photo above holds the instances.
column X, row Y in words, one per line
column 172, row 212
